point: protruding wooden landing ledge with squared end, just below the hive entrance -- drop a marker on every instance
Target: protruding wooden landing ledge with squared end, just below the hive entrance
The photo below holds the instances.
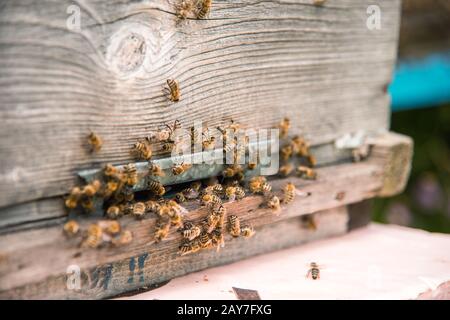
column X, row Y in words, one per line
column 33, row 256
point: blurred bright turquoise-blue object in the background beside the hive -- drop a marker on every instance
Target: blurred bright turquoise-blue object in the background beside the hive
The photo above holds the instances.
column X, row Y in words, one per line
column 421, row 83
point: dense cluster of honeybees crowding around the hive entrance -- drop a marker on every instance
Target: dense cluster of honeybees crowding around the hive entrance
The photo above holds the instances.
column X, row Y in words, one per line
column 116, row 188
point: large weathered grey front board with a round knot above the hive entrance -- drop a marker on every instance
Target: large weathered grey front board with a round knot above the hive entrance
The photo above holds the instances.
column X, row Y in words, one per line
column 253, row 61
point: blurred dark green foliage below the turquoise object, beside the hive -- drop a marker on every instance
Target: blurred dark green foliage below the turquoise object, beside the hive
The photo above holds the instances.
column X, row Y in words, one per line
column 425, row 203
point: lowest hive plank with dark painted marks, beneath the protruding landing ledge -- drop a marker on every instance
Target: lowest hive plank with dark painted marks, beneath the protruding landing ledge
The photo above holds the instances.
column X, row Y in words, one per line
column 149, row 267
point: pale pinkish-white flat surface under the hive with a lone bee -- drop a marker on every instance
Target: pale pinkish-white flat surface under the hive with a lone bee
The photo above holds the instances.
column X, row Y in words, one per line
column 376, row 262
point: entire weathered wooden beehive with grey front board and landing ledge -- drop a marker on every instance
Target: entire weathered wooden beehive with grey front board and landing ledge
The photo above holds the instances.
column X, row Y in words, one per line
column 254, row 62
